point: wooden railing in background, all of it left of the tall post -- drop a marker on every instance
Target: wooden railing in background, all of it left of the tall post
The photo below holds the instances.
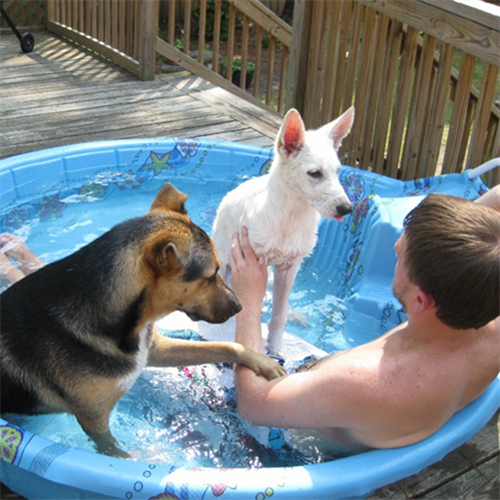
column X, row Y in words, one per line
column 125, row 32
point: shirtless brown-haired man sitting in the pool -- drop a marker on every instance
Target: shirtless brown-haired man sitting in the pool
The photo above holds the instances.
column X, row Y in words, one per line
column 403, row 386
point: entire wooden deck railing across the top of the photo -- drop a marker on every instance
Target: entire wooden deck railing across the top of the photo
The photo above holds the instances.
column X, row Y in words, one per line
column 422, row 74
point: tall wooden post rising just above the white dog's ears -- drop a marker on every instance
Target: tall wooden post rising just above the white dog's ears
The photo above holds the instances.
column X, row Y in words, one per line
column 299, row 55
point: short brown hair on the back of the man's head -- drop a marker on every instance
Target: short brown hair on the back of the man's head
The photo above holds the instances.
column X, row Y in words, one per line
column 451, row 252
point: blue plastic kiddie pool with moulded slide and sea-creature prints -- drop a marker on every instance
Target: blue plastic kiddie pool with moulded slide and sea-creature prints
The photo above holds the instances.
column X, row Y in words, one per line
column 44, row 197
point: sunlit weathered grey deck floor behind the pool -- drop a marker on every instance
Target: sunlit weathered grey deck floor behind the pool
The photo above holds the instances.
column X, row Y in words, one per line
column 61, row 94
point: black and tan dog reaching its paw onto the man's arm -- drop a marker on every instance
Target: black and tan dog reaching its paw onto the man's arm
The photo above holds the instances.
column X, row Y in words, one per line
column 76, row 334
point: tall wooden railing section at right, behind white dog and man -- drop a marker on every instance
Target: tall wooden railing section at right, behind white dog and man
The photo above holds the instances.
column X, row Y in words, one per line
column 422, row 74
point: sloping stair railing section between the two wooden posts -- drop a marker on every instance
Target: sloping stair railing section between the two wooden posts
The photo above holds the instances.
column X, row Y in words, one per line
column 235, row 32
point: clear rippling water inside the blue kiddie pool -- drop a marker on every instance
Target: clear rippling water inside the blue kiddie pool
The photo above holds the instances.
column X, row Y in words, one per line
column 185, row 415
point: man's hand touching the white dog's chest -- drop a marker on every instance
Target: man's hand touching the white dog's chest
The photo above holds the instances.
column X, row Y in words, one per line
column 248, row 277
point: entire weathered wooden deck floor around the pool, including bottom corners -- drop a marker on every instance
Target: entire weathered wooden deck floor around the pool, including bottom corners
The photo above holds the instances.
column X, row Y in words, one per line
column 61, row 94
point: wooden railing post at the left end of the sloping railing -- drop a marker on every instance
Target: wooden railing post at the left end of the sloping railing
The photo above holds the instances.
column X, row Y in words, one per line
column 148, row 31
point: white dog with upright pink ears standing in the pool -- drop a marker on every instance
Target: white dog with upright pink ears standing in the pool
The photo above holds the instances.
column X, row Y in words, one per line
column 283, row 208
